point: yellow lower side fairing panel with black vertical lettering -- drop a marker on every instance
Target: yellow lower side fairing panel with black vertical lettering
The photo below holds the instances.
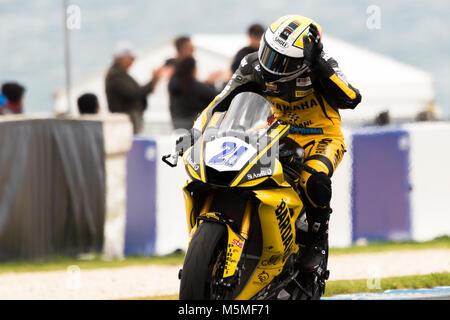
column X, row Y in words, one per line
column 278, row 233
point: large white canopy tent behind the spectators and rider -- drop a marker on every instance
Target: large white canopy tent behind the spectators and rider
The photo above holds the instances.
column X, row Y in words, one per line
column 385, row 84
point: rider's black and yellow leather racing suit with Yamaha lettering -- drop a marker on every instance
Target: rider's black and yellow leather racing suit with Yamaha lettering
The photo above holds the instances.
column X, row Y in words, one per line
column 309, row 102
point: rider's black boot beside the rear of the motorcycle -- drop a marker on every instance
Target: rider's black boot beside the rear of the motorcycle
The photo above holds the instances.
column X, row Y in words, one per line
column 317, row 239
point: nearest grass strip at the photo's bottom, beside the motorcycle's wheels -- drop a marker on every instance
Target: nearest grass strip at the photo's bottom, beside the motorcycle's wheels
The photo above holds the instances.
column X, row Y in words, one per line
column 355, row 286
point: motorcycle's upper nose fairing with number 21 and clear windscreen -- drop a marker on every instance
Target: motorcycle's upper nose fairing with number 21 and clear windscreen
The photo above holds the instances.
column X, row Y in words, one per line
column 243, row 150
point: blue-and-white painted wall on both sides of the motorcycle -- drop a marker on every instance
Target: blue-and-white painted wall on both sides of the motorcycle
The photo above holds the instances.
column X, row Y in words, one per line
column 392, row 184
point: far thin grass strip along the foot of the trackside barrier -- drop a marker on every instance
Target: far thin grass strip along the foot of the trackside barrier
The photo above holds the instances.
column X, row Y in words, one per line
column 95, row 262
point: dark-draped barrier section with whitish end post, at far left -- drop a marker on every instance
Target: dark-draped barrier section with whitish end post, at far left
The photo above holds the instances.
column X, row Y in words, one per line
column 62, row 185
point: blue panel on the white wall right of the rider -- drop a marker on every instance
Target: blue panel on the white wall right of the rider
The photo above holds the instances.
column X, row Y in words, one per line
column 380, row 190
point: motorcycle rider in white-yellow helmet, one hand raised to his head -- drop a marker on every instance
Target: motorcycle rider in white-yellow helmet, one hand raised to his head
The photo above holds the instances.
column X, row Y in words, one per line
column 307, row 89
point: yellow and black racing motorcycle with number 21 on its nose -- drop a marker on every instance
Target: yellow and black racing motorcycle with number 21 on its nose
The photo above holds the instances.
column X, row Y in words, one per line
column 244, row 209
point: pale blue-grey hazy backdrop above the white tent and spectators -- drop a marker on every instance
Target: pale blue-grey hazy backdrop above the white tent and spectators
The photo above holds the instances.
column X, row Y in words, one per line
column 31, row 33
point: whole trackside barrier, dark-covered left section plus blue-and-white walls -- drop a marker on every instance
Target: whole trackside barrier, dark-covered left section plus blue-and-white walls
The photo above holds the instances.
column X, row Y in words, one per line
column 70, row 186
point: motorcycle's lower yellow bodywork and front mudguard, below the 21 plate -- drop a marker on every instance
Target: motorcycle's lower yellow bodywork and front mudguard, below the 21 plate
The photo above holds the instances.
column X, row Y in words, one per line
column 275, row 211
